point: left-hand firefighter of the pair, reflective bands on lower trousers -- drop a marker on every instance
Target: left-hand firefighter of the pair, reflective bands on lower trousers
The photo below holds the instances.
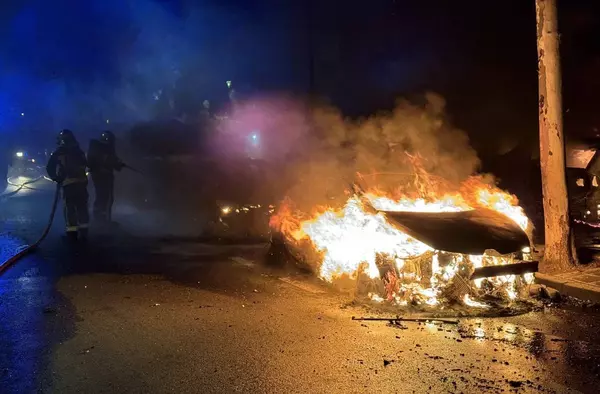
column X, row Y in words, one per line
column 67, row 166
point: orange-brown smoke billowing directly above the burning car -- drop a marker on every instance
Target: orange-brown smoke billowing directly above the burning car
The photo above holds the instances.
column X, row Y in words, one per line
column 412, row 147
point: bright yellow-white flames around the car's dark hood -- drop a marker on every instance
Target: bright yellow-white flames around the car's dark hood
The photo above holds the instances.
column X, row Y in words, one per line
column 356, row 240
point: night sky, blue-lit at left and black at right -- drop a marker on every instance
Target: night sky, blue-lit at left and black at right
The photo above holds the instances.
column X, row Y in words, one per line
column 72, row 62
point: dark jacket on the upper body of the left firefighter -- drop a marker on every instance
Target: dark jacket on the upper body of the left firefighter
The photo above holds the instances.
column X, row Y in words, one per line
column 67, row 165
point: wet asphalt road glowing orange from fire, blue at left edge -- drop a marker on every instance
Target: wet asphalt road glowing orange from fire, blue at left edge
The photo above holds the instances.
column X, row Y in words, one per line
column 140, row 314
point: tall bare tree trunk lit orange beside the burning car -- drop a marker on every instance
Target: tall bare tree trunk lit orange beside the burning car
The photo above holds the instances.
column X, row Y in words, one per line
column 559, row 253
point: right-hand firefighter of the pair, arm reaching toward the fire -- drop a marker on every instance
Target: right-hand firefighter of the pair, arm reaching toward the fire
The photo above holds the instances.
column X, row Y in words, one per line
column 103, row 162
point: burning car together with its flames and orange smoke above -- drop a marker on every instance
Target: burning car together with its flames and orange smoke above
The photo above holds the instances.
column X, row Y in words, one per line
column 415, row 233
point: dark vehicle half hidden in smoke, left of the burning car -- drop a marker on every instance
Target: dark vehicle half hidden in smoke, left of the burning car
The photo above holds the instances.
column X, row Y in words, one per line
column 217, row 195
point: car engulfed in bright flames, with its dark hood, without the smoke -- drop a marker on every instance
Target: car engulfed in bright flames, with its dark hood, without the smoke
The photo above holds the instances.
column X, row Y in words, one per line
column 423, row 251
